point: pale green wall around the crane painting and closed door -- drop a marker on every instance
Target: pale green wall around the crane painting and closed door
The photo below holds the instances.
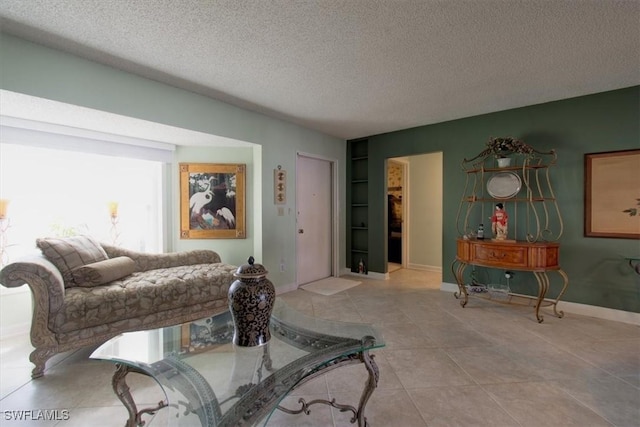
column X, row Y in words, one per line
column 41, row 72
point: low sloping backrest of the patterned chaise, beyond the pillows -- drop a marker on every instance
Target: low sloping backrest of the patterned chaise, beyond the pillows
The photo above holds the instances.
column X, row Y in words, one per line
column 147, row 261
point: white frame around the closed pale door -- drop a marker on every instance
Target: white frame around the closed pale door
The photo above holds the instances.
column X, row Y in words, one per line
column 335, row 237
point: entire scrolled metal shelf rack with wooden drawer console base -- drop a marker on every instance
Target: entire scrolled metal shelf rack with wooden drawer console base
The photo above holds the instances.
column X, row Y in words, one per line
column 512, row 179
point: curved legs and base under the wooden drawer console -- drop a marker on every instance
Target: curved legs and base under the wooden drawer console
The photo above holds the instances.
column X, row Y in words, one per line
column 540, row 300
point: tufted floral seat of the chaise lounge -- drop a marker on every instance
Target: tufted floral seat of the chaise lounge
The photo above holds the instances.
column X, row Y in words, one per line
column 143, row 294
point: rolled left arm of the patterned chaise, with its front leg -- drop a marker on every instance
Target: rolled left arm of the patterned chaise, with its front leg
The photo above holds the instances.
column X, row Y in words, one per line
column 45, row 282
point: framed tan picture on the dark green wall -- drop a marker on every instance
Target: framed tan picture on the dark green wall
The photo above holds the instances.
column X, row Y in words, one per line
column 612, row 196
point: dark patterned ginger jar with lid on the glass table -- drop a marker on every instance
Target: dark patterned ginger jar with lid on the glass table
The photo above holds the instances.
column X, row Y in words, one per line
column 251, row 299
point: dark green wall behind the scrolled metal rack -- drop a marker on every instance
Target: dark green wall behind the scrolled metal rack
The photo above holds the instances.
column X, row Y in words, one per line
column 601, row 122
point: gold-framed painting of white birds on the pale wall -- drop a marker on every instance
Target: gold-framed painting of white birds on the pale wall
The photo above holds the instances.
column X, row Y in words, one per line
column 212, row 201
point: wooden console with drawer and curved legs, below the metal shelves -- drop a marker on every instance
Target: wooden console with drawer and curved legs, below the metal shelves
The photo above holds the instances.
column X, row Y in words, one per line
column 538, row 258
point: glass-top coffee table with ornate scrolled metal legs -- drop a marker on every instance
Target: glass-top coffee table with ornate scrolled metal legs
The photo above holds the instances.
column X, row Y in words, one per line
column 209, row 381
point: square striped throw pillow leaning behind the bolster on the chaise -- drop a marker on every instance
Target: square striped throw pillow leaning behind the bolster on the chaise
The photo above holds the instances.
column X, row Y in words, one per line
column 68, row 253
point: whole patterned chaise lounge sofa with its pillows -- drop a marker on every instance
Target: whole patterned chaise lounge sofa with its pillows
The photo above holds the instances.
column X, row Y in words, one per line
column 85, row 292
